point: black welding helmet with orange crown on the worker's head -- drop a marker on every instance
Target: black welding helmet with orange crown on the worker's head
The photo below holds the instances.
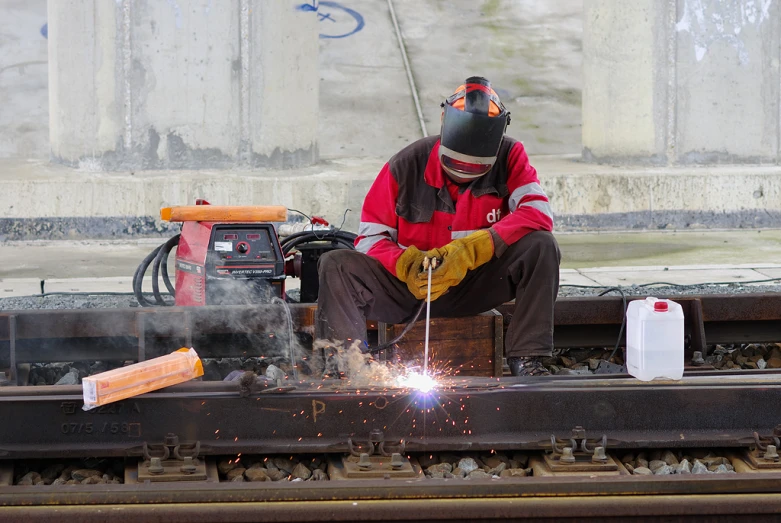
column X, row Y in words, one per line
column 473, row 124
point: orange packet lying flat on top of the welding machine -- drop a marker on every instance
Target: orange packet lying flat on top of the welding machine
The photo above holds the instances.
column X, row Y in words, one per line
column 224, row 213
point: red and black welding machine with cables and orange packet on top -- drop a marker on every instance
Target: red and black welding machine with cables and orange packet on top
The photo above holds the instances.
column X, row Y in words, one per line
column 228, row 255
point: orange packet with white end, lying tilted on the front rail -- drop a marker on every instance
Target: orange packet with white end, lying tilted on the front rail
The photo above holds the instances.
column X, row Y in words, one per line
column 126, row 382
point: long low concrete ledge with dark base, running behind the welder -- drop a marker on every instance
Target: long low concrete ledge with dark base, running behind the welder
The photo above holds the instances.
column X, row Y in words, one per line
column 46, row 201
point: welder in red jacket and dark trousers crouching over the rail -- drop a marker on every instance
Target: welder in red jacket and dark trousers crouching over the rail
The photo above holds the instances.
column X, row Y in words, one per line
column 469, row 198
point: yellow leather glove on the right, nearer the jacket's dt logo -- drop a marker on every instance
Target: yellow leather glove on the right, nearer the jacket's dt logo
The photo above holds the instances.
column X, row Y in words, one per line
column 457, row 257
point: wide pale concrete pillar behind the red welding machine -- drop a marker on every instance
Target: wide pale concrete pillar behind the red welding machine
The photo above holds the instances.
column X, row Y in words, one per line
column 185, row 84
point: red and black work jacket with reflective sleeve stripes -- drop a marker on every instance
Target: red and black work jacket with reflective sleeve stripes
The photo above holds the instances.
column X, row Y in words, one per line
column 411, row 203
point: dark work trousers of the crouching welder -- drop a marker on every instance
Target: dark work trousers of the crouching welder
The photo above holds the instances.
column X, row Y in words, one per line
column 355, row 287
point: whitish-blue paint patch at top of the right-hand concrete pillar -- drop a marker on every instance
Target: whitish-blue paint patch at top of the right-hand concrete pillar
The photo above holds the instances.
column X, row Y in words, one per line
column 711, row 21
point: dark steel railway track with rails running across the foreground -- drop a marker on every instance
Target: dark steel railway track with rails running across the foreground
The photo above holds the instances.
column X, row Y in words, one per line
column 362, row 438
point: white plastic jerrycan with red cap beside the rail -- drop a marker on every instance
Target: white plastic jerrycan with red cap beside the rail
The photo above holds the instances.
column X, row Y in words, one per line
column 654, row 339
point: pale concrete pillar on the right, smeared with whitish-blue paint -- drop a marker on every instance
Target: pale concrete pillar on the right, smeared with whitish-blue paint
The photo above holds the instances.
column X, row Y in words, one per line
column 681, row 81
